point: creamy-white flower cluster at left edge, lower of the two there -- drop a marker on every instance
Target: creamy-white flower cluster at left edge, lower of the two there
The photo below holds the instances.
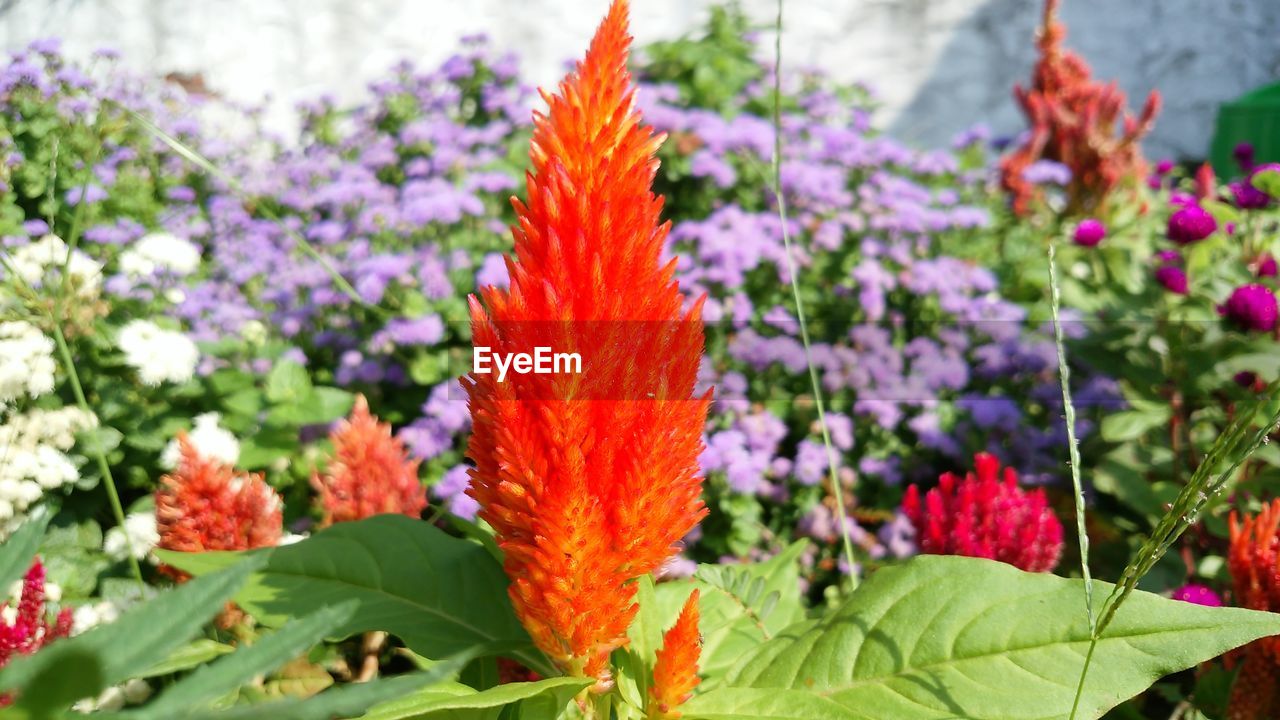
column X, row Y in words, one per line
column 34, row 462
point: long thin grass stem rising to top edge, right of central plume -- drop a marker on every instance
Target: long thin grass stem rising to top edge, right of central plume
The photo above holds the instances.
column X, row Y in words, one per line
column 833, row 461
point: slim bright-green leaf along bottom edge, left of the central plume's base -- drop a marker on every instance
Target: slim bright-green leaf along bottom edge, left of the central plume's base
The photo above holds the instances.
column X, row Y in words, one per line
column 545, row 699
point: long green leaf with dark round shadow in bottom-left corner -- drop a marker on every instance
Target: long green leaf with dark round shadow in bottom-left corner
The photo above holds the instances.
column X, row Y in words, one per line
column 83, row 667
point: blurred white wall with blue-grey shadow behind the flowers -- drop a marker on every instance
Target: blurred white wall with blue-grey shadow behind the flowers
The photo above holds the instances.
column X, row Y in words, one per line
column 939, row 66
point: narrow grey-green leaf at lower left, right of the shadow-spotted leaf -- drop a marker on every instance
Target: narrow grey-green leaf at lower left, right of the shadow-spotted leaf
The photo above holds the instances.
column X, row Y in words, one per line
column 228, row 673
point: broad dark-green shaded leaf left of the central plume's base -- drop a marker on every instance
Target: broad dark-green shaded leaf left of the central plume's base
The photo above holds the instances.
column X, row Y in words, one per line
column 438, row 594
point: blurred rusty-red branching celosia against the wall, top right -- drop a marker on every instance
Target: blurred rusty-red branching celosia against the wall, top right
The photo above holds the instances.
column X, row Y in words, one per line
column 1075, row 122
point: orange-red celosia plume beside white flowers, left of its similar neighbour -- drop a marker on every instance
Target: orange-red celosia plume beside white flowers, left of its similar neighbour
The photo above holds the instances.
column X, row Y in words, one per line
column 208, row 505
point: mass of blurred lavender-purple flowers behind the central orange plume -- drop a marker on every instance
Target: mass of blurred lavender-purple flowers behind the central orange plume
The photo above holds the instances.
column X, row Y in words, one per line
column 358, row 247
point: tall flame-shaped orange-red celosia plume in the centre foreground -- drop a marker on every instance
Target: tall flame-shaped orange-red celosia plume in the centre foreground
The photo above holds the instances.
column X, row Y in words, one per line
column 589, row 480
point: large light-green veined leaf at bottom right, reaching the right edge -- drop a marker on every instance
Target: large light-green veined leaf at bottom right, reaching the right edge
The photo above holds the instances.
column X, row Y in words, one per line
column 958, row 637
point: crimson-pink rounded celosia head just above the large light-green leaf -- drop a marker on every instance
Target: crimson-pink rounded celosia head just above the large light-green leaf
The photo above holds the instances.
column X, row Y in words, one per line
column 985, row 517
